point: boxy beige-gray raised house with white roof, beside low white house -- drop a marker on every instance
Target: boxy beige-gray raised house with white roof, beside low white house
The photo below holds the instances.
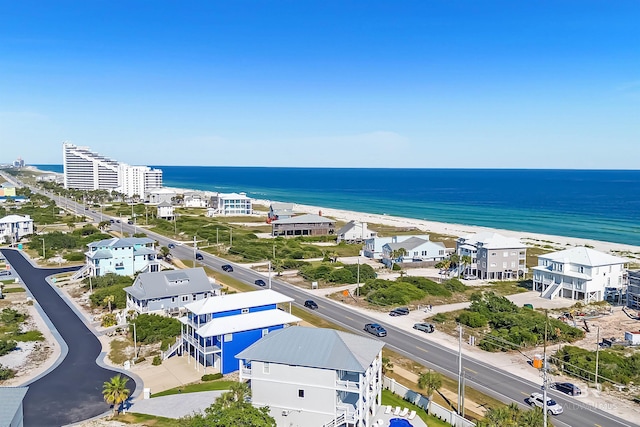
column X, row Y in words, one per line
column 493, row 256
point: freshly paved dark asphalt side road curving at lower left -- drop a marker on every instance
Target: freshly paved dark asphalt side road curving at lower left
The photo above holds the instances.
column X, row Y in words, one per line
column 72, row 392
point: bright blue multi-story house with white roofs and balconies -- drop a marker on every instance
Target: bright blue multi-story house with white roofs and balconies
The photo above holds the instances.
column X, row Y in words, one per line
column 216, row 329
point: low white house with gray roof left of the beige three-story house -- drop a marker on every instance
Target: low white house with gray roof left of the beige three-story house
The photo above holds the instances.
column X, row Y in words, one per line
column 413, row 250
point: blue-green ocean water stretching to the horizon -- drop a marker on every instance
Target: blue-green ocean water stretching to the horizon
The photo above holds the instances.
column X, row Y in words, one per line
column 593, row 204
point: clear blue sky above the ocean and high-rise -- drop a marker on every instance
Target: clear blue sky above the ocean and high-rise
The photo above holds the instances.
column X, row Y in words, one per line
column 547, row 84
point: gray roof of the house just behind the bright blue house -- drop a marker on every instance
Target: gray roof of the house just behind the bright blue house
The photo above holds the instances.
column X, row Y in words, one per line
column 163, row 284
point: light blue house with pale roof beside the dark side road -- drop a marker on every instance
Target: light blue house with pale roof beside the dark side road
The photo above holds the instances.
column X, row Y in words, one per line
column 124, row 257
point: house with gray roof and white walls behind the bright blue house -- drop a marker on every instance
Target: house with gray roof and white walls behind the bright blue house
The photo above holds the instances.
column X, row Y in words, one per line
column 167, row 292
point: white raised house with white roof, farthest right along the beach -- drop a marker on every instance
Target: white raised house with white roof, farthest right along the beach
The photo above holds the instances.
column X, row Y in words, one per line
column 582, row 274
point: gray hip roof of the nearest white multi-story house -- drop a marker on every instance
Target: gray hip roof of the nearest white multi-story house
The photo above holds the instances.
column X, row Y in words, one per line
column 315, row 348
